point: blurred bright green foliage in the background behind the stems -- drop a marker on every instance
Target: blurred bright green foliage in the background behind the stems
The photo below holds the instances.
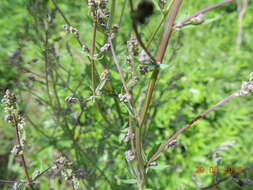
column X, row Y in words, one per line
column 205, row 66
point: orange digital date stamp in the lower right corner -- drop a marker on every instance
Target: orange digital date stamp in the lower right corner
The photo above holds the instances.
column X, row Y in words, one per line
column 219, row 169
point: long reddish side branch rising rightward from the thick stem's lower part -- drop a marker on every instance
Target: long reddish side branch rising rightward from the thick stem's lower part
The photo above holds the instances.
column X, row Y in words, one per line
column 173, row 137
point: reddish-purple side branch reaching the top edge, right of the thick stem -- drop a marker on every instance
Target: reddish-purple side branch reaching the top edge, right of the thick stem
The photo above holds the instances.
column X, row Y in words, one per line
column 202, row 11
